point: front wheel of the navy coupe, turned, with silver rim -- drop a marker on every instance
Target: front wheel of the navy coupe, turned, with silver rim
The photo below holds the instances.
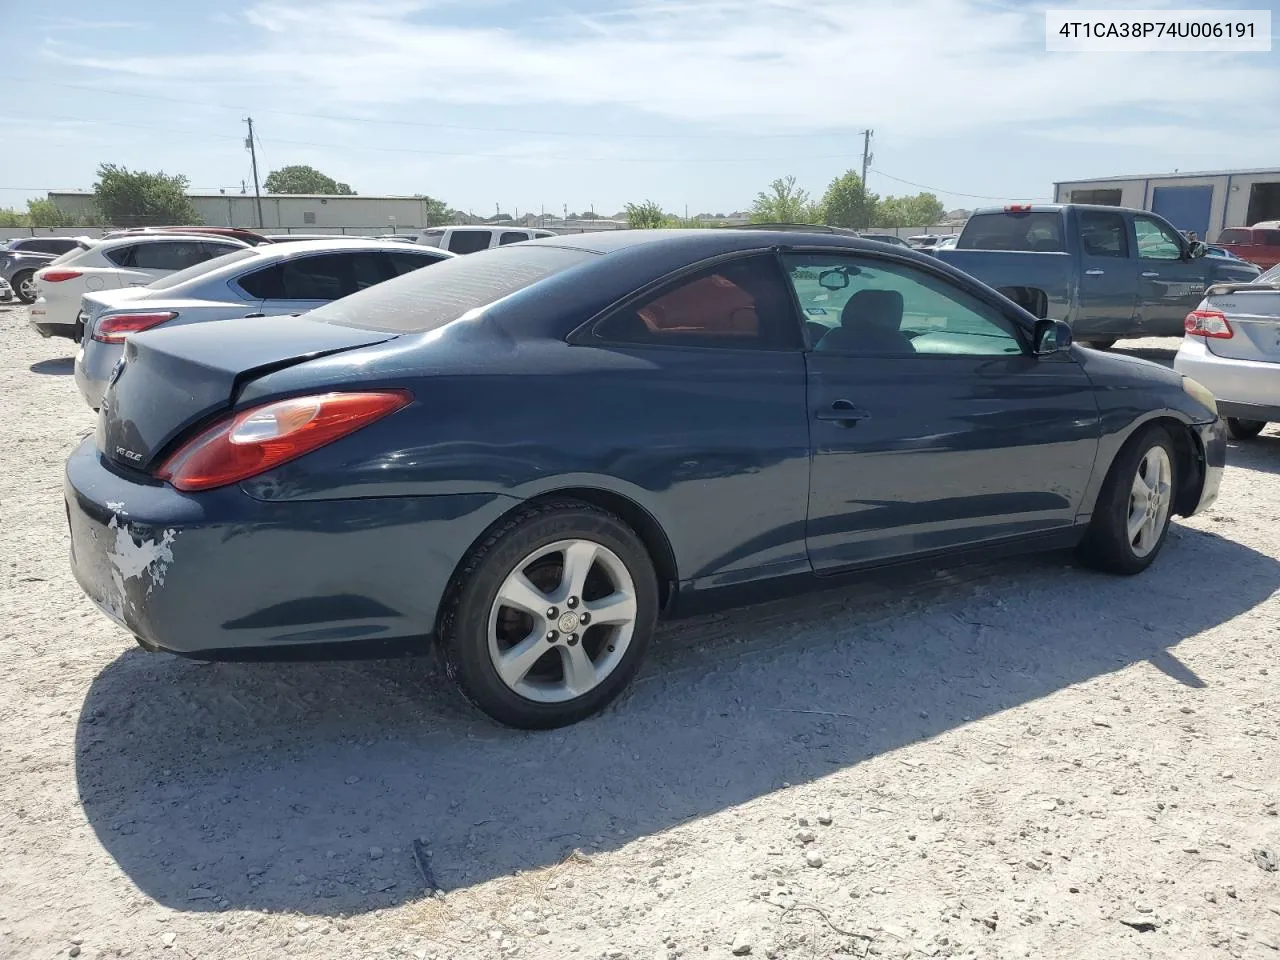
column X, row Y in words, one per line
column 1131, row 519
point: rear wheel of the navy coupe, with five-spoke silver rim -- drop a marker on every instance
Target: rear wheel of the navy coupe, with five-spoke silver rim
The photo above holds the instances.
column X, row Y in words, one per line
column 550, row 616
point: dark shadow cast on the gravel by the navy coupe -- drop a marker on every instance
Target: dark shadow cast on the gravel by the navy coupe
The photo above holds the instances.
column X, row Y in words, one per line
column 303, row 787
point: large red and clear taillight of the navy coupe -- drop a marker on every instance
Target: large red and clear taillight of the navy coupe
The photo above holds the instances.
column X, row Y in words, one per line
column 263, row 438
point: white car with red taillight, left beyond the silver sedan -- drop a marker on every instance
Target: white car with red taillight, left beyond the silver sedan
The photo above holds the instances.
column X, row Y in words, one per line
column 134, row 260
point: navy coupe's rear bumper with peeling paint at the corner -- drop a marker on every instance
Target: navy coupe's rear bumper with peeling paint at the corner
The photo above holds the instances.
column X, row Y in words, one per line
column 221, row 575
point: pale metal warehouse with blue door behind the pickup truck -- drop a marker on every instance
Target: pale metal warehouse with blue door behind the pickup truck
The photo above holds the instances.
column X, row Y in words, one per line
column 1206, row 203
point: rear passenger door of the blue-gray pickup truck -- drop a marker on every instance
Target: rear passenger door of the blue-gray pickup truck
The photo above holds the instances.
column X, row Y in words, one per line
column 1109, row 276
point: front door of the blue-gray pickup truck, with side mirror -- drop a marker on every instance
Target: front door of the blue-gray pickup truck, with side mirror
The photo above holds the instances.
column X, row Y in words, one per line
column 1171, row 285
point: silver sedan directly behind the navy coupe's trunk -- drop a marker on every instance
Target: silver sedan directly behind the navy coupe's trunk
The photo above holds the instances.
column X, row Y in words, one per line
column 267, row 281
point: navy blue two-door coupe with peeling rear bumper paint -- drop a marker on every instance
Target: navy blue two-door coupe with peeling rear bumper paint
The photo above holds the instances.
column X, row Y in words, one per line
column 531, row 455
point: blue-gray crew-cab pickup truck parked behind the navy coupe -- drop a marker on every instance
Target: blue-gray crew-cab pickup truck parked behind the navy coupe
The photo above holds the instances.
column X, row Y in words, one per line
column 1108, row 272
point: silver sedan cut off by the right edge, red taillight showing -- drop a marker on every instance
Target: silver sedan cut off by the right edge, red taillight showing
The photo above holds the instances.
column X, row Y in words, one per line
column 1232, row 345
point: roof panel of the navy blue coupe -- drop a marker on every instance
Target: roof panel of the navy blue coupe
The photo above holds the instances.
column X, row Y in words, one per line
column 703, row 243
